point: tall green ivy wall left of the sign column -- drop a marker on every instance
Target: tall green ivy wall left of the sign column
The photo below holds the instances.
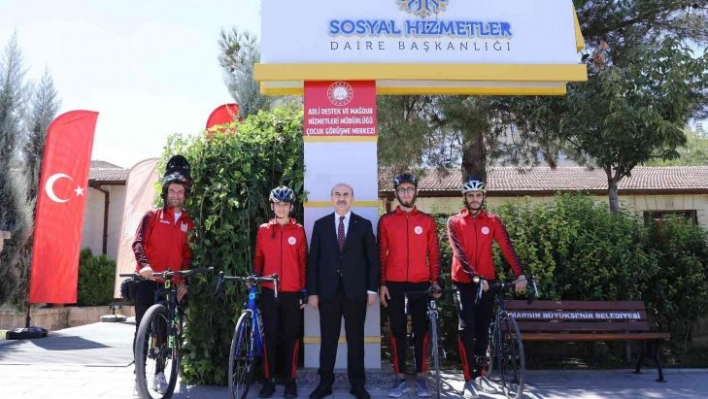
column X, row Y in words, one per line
column 233, row 172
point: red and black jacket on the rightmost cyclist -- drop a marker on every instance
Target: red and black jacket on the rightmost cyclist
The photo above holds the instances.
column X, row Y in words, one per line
column 471, row 240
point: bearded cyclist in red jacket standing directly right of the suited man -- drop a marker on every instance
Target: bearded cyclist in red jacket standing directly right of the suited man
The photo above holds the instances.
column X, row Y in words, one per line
column 410, row 261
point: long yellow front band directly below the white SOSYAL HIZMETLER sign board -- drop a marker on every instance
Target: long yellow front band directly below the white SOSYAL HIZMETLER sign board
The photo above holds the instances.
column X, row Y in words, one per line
column 413, row 72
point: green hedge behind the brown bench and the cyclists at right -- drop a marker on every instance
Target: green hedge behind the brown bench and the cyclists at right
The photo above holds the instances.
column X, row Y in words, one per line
column 577, row 250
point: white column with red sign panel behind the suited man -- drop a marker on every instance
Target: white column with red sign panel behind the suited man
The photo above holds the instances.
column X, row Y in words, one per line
column 340, row 147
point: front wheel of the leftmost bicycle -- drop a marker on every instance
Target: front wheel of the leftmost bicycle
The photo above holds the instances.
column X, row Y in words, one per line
column 155, row 353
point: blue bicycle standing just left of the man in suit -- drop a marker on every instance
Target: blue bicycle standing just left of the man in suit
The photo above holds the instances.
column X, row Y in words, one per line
column 248, row 338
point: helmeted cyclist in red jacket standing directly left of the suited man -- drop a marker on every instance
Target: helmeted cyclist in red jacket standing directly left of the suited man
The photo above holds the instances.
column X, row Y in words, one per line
column 281, row 248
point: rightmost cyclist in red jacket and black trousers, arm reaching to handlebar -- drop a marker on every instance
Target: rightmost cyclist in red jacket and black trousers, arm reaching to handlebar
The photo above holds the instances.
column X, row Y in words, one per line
column 471, row 233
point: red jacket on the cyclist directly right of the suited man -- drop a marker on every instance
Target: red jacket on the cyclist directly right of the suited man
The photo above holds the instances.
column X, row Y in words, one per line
column 408, row 247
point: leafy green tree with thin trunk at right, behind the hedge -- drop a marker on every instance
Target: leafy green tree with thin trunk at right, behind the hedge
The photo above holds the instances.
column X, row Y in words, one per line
column 628, row 113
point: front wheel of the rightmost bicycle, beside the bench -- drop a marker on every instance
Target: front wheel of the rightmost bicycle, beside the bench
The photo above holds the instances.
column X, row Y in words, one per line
column 511, row 361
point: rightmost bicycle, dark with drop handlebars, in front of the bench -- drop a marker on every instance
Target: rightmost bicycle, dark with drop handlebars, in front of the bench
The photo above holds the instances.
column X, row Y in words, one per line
column 505, row 344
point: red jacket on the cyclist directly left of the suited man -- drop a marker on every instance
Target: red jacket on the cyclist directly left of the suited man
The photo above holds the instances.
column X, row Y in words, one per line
column 282, row 249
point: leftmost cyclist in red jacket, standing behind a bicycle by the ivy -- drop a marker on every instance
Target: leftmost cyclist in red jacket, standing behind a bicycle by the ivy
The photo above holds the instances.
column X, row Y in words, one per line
column 161, row 242
